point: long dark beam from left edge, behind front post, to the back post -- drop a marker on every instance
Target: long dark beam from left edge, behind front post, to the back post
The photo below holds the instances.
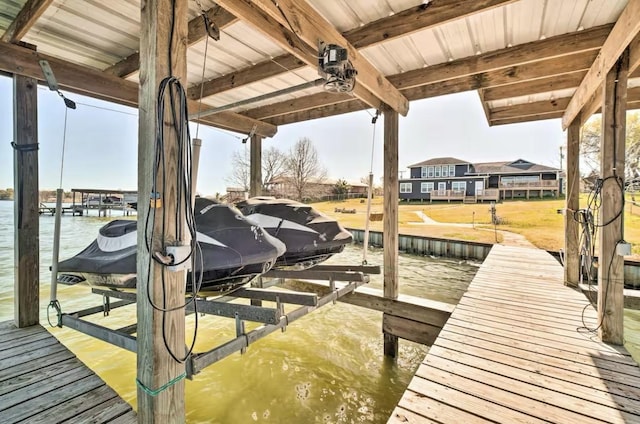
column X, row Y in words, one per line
column 94, row 83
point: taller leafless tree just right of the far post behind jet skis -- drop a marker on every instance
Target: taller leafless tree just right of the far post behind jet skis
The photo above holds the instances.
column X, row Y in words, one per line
column 303, row 167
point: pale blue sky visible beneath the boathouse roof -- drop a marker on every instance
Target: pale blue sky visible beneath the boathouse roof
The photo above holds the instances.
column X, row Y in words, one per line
column 101, row 145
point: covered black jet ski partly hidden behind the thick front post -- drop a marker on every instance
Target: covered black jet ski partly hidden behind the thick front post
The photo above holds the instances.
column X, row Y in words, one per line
column 234, row 250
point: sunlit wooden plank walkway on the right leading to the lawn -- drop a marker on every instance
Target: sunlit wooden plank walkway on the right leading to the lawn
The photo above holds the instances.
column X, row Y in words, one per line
column 515, row 350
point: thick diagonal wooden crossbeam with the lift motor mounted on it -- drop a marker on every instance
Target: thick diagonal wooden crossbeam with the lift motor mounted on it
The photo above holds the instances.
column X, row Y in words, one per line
column 309, row 27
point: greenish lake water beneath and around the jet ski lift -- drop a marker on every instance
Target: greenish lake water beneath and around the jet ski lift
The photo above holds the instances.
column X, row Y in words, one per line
column 327, row 367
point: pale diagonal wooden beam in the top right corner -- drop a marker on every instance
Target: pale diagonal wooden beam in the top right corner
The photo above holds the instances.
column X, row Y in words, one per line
column 624, row 32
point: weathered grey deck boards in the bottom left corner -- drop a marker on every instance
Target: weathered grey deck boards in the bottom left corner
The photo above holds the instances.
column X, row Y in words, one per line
column 41, row 381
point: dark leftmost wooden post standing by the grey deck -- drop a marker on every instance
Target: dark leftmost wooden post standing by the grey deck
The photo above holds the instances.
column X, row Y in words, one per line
column 26, row 204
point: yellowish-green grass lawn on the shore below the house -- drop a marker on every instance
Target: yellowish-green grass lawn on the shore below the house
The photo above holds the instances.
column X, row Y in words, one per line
column 537, row 220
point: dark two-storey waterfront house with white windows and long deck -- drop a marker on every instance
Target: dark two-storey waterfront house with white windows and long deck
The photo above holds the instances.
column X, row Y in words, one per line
column 449, row 179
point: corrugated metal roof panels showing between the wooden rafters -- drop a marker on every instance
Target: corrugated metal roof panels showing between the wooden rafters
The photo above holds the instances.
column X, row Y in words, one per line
column 99, row 34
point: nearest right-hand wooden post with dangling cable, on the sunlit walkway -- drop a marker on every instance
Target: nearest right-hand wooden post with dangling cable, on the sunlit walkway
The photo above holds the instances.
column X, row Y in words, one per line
column 611, row 265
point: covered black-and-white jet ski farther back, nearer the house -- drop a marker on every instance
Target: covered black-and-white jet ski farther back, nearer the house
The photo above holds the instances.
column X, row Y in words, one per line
column 310, row 236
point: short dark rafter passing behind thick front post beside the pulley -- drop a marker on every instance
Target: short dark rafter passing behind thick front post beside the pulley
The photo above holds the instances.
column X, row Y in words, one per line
column 130, row 65
